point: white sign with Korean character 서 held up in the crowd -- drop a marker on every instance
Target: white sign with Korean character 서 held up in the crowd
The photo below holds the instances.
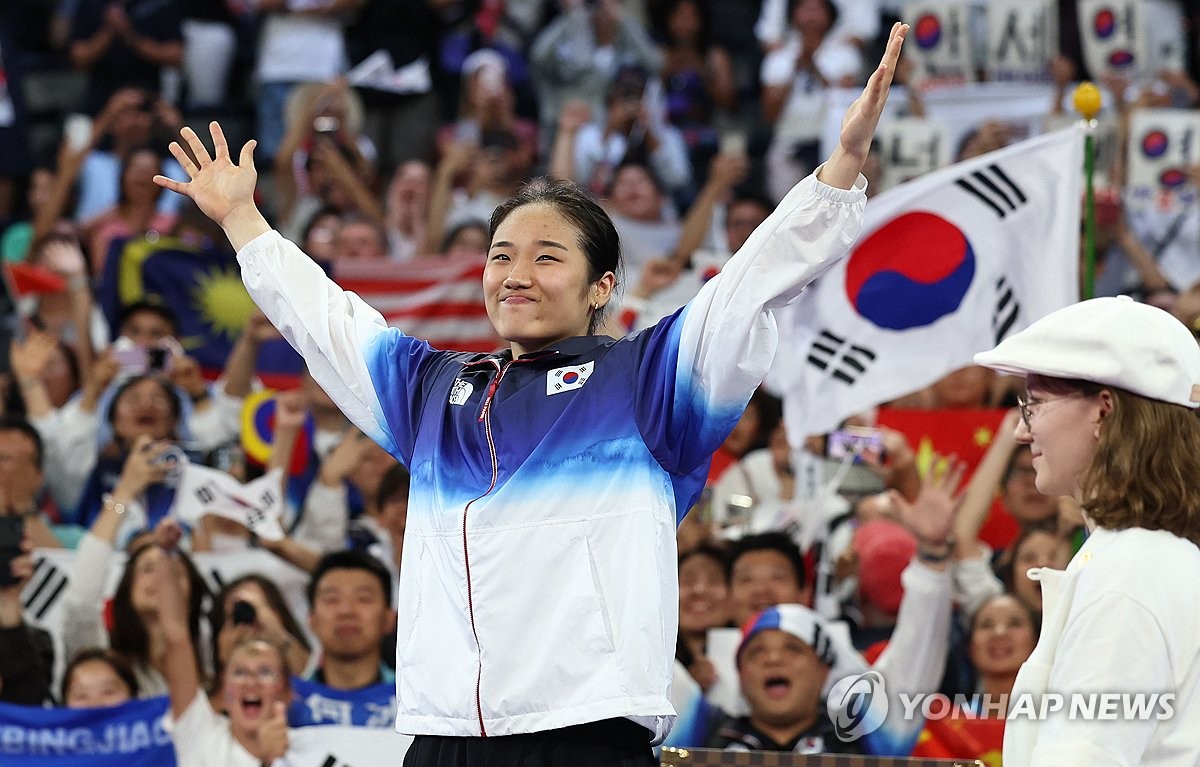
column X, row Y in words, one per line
column 1023, row 37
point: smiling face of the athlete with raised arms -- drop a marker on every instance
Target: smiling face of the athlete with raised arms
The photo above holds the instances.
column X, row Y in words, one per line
column 536, row 283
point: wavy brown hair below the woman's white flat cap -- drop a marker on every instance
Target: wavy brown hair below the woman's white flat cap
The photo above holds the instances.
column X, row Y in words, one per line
column 1145, row 469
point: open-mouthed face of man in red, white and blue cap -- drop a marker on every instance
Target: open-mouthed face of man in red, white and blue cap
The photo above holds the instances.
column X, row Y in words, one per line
column 782, row 679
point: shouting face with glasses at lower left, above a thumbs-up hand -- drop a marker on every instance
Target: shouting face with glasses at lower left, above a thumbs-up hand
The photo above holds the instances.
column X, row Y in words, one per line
column 253, row 682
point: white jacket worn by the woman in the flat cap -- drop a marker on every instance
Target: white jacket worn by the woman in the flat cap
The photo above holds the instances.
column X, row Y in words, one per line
column 1124, row 618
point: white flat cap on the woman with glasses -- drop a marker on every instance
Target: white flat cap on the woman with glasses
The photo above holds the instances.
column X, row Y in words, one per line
column 1114, row 341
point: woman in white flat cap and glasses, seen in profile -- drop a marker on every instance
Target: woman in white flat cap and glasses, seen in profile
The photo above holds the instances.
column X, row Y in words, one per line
column 1113, row 388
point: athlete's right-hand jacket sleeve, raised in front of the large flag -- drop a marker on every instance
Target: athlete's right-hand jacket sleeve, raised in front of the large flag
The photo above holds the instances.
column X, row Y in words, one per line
column 700, row 367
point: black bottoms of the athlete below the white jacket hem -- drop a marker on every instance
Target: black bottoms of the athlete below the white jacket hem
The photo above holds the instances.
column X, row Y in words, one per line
column 609, row 744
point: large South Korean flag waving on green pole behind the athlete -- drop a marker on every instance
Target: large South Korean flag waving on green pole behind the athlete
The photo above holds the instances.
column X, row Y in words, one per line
column 947, row 266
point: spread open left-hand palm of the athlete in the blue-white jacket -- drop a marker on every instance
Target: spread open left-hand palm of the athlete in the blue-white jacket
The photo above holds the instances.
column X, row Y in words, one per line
column 218, row 185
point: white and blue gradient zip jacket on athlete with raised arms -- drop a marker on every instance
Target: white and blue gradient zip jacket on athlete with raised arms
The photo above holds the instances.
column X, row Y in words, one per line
column 539, row 588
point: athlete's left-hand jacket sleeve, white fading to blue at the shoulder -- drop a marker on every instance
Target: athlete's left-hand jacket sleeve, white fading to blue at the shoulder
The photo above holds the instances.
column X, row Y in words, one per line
column 371, row 371
